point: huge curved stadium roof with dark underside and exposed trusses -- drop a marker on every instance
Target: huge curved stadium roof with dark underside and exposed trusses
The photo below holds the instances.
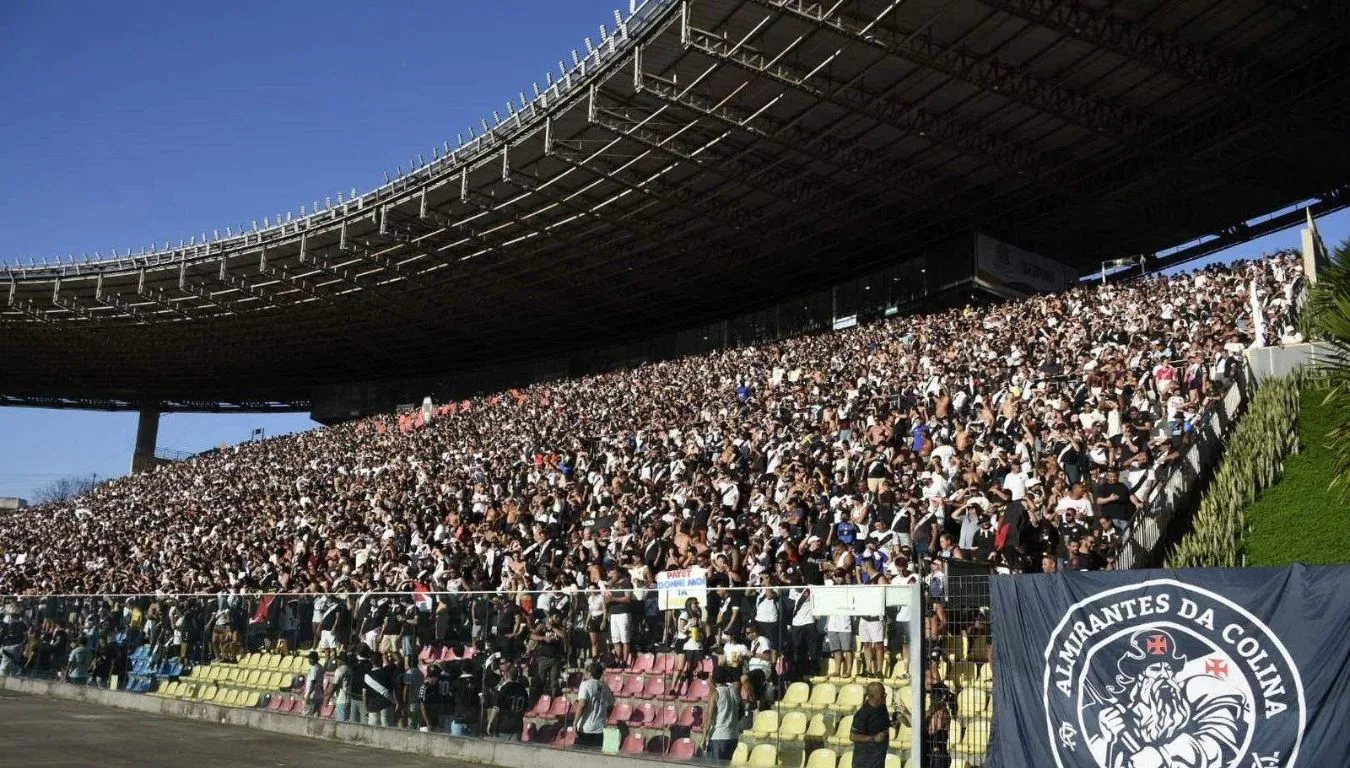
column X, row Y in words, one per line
column 703, row 159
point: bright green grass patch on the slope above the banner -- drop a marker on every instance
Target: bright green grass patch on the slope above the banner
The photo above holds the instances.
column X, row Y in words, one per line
column 1299, row 519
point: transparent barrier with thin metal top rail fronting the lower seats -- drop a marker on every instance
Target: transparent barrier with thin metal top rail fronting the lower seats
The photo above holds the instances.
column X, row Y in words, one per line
column 512, row 663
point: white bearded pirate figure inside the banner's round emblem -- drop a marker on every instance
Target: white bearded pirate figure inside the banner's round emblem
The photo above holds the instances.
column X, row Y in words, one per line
column 1163, row 713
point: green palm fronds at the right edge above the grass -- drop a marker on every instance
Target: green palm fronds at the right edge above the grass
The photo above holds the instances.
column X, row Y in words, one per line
column 1329, row 317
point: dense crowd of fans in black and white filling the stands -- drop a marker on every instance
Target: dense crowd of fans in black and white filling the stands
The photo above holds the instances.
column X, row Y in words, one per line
column 1025, row 437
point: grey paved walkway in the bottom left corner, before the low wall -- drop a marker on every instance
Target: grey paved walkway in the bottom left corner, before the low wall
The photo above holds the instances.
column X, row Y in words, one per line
column 41, row 732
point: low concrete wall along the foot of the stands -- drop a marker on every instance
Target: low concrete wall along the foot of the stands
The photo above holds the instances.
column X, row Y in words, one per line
column 481, row 751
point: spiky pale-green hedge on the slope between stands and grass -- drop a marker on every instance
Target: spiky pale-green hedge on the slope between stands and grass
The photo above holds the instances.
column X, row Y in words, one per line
column 1253, row 461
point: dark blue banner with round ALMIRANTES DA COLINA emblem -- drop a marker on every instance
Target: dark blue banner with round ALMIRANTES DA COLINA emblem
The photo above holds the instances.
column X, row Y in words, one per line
column 1202, row 669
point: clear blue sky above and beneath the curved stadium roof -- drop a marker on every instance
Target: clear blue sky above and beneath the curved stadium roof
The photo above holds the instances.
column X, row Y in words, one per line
column 136, row 124
